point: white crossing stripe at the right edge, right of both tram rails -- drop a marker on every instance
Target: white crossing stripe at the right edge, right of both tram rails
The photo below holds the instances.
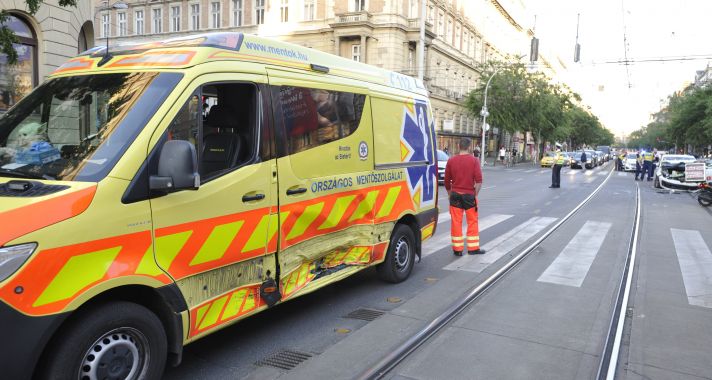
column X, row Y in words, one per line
column 696, row 266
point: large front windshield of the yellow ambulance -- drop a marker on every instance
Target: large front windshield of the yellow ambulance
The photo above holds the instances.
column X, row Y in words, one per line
column 76, row 128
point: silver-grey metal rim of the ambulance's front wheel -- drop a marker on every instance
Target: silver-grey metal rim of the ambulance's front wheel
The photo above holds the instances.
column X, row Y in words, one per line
column 119, row 354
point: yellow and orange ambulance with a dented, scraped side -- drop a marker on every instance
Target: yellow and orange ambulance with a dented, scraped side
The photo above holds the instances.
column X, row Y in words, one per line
column 155, row 193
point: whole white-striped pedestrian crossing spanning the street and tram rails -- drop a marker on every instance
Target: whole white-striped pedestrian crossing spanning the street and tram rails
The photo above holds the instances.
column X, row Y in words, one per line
column 573, row 263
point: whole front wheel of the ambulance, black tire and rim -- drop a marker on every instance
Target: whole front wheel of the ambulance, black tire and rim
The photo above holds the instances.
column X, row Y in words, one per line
column 104, row 342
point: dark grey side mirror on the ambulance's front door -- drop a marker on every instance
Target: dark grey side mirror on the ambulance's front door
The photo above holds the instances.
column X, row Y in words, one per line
column 177, row 168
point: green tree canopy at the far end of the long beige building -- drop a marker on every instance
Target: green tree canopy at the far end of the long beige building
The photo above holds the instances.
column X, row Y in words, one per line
column 523, row 101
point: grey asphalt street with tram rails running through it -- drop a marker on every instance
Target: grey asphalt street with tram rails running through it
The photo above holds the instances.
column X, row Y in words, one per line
column 547, row 319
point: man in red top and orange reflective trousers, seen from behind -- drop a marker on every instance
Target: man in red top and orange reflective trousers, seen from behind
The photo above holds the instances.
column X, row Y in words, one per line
column 463, row 181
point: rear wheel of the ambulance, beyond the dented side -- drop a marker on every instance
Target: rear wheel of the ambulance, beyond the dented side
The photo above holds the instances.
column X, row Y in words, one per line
column 400, row 256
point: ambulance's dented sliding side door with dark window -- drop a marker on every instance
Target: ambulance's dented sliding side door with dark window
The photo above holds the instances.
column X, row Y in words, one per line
column 326, row 211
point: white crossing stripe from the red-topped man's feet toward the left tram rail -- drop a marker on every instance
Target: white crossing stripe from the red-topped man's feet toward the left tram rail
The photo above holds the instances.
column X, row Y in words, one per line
column 501, row 245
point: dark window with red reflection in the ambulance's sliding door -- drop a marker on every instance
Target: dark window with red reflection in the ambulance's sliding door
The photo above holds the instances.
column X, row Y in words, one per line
column 313, row 117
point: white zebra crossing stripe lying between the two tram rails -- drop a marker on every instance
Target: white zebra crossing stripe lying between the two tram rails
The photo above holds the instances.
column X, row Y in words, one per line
column 573, row 263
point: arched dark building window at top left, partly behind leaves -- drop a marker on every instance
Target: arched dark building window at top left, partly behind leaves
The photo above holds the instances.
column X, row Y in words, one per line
column 19, row 79
